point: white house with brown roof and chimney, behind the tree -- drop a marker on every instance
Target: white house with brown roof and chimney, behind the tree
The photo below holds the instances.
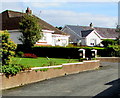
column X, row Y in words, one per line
column 51, row 35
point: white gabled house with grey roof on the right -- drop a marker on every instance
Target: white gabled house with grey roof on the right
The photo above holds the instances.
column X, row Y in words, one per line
column 89, row 35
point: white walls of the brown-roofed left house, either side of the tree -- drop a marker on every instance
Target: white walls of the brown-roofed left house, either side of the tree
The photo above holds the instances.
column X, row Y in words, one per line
column 49, row 38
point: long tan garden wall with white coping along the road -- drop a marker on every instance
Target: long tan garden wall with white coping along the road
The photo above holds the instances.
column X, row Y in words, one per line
column 32, row 76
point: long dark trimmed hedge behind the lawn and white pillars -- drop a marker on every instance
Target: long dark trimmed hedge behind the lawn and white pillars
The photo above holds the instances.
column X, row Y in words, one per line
column 59, row 52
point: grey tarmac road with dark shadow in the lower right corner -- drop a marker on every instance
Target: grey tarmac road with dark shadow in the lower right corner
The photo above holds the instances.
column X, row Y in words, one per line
column 101, row 82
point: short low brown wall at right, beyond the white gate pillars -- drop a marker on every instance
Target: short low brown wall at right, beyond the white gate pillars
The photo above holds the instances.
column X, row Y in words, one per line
column 108, row 59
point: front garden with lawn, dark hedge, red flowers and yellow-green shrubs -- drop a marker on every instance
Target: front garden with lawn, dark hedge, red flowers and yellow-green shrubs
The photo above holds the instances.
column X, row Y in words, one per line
column 18, row 58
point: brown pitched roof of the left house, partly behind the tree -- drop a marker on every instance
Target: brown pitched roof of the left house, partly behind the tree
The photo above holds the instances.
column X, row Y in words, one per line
column 11, row 19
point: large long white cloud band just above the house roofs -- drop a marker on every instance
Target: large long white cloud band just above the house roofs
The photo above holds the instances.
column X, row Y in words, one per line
column 61, row 17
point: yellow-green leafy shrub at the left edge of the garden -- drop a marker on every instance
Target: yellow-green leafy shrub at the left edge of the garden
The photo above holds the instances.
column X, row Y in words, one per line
column 8, row 48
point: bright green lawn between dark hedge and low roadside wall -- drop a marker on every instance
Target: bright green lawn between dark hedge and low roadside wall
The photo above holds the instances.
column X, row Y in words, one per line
column 41, row 61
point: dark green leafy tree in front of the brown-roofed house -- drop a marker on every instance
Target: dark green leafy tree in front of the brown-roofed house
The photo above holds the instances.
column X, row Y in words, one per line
column 31, row 31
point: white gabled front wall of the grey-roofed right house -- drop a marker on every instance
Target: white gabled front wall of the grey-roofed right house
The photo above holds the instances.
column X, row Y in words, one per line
column 92, row 37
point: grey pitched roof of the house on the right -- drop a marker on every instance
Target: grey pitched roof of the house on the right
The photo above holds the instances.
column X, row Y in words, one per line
column 103, row 32
